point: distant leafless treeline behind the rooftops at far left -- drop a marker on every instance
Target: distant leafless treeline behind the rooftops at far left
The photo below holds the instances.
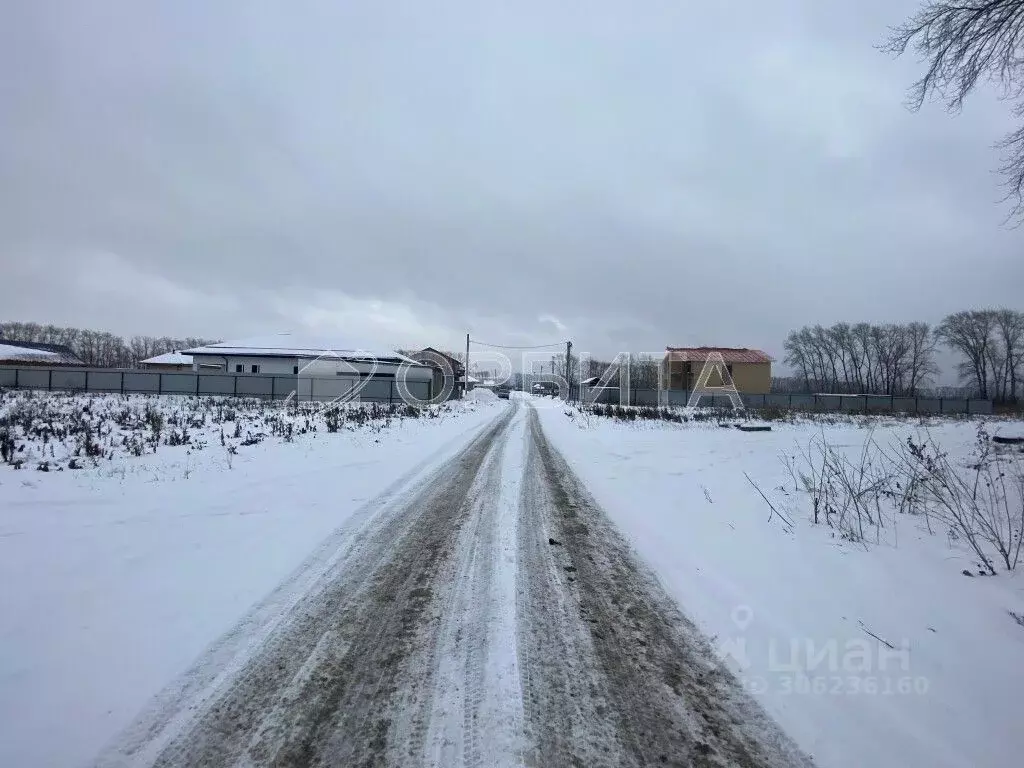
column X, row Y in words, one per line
column 99, row 348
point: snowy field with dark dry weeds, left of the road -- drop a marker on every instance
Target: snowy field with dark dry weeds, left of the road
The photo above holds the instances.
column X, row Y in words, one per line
column 117, row 576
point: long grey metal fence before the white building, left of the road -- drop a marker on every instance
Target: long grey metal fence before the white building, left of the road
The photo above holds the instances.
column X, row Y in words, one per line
column 101, row 380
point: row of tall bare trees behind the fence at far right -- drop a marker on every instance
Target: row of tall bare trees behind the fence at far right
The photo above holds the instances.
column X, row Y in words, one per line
column 900, row 359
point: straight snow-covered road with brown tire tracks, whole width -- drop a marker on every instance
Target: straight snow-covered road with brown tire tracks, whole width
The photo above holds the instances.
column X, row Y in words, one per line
column 485, row 614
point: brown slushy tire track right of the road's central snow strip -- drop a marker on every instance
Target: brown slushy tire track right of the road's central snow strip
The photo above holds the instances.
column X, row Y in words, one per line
column 656, row 693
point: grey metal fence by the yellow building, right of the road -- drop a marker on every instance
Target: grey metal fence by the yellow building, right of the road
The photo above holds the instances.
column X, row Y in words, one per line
column 855, row 404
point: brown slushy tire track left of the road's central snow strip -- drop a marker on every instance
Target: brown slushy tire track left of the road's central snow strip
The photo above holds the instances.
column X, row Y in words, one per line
column 320, row 688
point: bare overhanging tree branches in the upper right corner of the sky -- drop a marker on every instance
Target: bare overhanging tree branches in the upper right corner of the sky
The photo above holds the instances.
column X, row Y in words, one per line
column 963, row 42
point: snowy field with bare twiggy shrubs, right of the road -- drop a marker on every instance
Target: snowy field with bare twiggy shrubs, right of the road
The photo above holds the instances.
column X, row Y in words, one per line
column 805, row 616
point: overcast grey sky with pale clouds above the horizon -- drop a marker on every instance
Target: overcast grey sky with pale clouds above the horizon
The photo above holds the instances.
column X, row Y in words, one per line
column 625, row 175
